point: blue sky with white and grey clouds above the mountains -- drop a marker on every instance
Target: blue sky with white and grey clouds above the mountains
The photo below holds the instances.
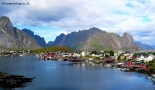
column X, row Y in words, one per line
column 50, row 18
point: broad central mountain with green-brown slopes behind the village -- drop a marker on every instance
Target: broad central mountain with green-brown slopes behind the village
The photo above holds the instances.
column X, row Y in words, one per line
column 95, row 39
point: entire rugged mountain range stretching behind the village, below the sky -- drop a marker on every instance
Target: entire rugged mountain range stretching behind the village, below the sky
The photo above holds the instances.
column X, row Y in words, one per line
column 91, row 39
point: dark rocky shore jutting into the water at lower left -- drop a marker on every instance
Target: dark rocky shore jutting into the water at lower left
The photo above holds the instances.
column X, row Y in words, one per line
column 13, row 81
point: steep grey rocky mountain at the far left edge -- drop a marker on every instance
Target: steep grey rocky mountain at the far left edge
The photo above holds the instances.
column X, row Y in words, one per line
column 12, row 37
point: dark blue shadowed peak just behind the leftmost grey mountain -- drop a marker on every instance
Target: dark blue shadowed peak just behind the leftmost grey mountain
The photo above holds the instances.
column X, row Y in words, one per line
column 40, row 40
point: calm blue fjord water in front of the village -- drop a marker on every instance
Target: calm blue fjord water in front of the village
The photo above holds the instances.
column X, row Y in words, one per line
column 64, row 75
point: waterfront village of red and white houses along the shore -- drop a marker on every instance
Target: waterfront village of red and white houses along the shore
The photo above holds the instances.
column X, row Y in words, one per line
column 123, row 59
